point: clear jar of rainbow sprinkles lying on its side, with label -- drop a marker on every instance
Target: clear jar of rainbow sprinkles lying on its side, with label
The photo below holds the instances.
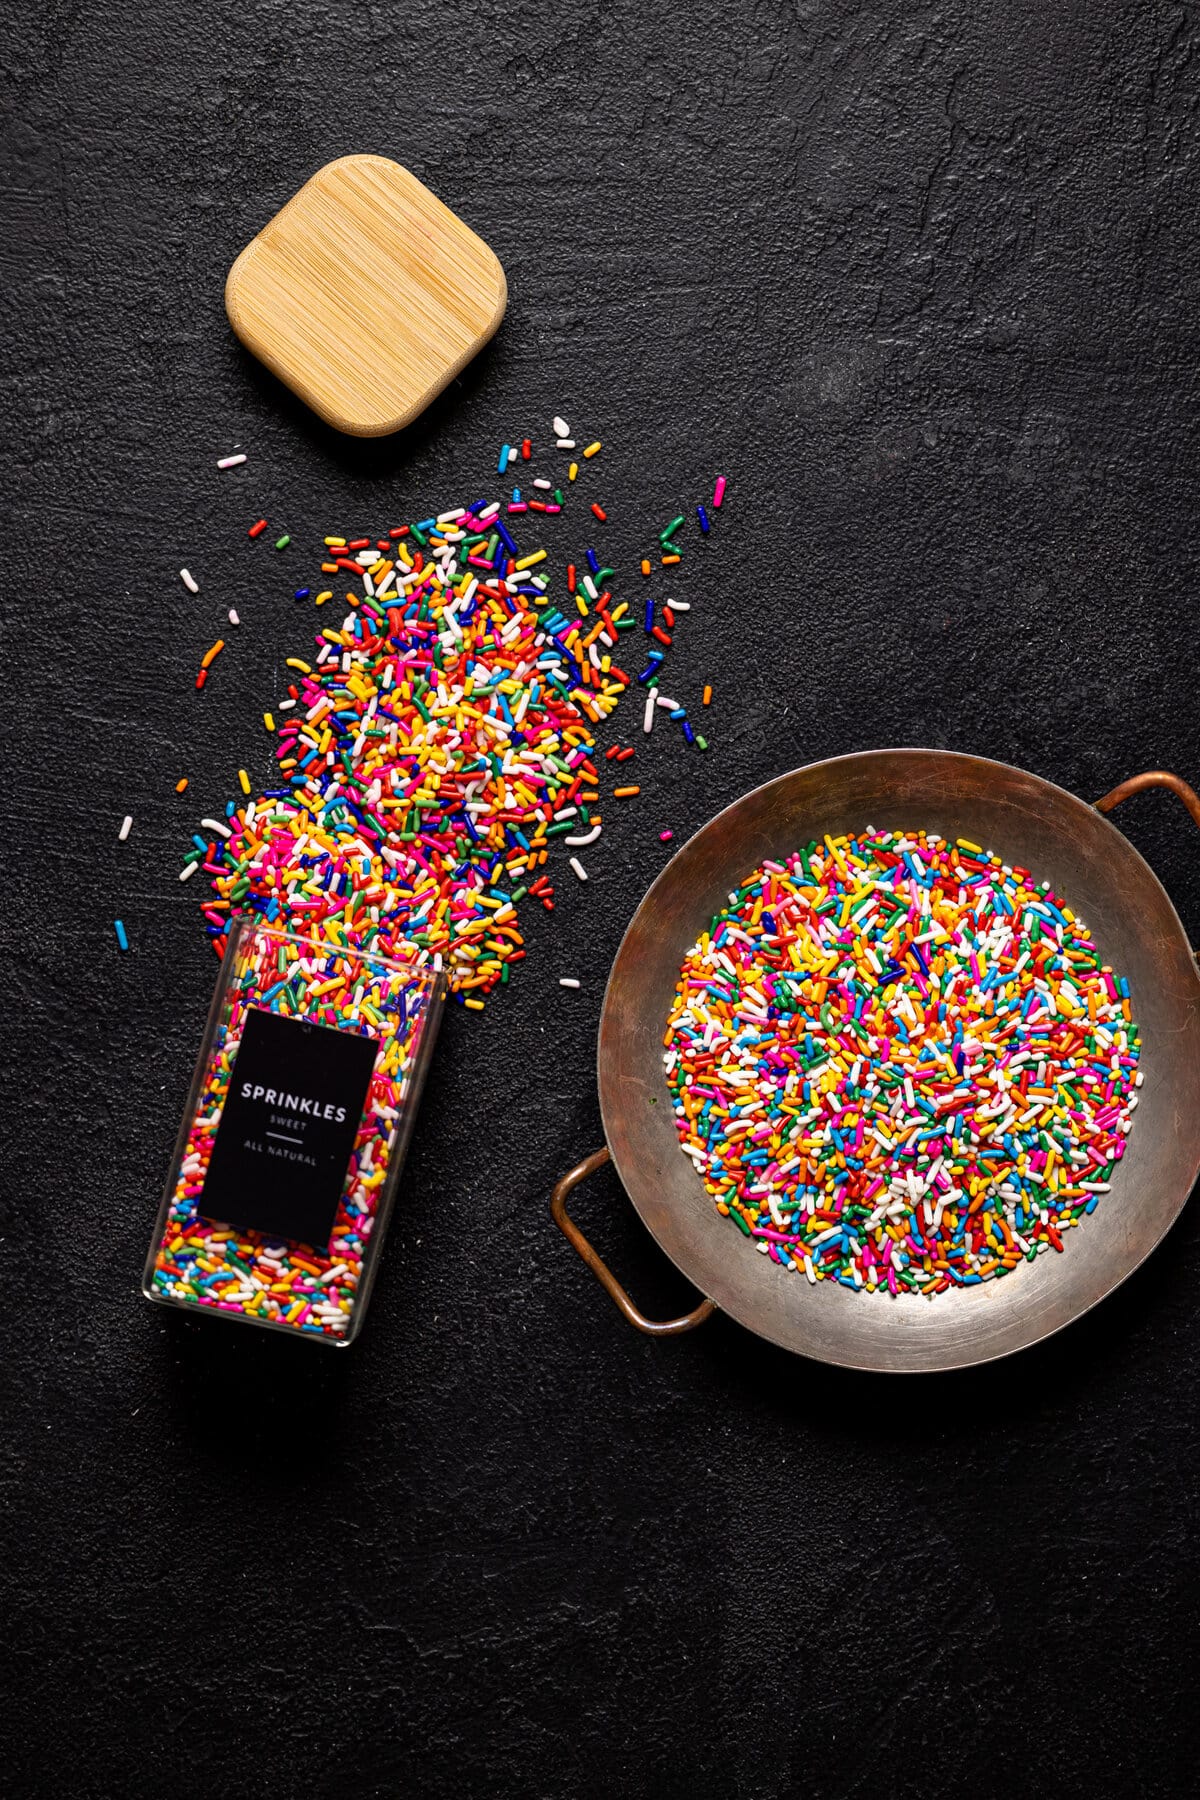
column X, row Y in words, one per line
column 294, row 1137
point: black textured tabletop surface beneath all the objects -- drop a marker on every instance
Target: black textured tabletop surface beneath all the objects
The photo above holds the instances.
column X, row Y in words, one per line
column 924, row 282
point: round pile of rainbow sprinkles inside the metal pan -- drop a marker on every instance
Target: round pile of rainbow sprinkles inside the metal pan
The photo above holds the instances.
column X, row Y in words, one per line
column 900, row 1065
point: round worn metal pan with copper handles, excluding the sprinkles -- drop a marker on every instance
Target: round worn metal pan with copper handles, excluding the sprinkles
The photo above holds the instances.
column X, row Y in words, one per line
column 1028, row 822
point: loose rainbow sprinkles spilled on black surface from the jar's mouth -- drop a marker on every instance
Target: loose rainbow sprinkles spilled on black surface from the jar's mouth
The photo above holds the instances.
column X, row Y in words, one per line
column 436, row 744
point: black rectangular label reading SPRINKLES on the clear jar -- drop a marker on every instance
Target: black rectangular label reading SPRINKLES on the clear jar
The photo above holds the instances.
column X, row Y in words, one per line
column 287, row 1133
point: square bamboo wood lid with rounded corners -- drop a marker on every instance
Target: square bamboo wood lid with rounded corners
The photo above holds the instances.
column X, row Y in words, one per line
column 366, row 296
